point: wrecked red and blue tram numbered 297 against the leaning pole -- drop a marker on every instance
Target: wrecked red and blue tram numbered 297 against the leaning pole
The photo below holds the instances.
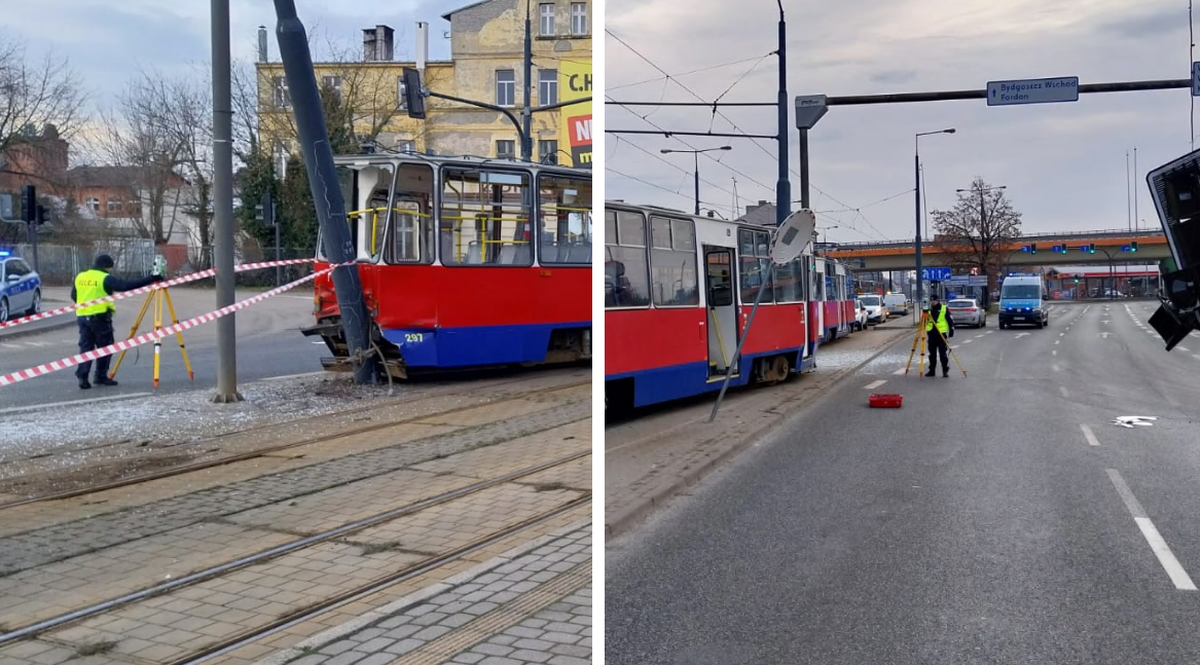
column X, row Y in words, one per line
column 465, row 262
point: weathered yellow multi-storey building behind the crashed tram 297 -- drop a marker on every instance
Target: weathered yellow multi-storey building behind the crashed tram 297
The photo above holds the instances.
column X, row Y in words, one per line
column 487, row 65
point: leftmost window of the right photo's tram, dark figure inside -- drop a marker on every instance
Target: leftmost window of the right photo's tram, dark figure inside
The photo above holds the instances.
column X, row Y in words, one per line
column 626, row 279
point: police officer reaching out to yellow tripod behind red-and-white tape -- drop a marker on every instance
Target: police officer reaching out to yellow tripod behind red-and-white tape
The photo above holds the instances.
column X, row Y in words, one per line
column 97, row 321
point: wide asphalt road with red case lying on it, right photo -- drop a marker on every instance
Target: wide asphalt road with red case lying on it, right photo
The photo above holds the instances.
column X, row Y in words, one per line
column 997, row 518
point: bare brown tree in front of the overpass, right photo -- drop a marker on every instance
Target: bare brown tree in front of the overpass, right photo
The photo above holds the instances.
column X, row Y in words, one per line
column 976, row 232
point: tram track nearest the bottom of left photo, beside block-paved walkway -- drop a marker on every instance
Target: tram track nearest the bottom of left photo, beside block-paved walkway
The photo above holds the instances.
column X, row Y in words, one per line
column 327, row 536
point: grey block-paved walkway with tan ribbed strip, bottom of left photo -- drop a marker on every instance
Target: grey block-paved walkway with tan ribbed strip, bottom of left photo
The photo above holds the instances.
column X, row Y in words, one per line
column 529, row 608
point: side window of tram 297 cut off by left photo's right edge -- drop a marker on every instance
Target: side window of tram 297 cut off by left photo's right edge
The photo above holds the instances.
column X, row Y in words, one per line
column 565, row 218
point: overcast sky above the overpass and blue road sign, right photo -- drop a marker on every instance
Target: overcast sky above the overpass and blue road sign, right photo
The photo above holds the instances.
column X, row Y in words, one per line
column 1064, row 165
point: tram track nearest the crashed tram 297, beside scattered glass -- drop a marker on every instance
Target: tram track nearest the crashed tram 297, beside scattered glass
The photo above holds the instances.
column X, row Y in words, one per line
column 273, row 450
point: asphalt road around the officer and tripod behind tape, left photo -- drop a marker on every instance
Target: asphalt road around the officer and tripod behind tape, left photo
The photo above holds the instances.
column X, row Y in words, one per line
column 269, row 345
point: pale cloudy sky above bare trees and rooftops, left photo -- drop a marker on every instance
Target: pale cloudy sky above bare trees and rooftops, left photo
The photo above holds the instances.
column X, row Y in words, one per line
column 107, row 41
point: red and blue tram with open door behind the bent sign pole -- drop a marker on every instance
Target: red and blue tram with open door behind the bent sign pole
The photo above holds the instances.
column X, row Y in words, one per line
column 679, row 290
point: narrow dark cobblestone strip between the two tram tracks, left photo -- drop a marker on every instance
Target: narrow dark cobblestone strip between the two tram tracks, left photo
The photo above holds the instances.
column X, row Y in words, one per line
column 59, row 542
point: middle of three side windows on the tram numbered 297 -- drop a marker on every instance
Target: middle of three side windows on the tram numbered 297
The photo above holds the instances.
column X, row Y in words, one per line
column 485, row 218
